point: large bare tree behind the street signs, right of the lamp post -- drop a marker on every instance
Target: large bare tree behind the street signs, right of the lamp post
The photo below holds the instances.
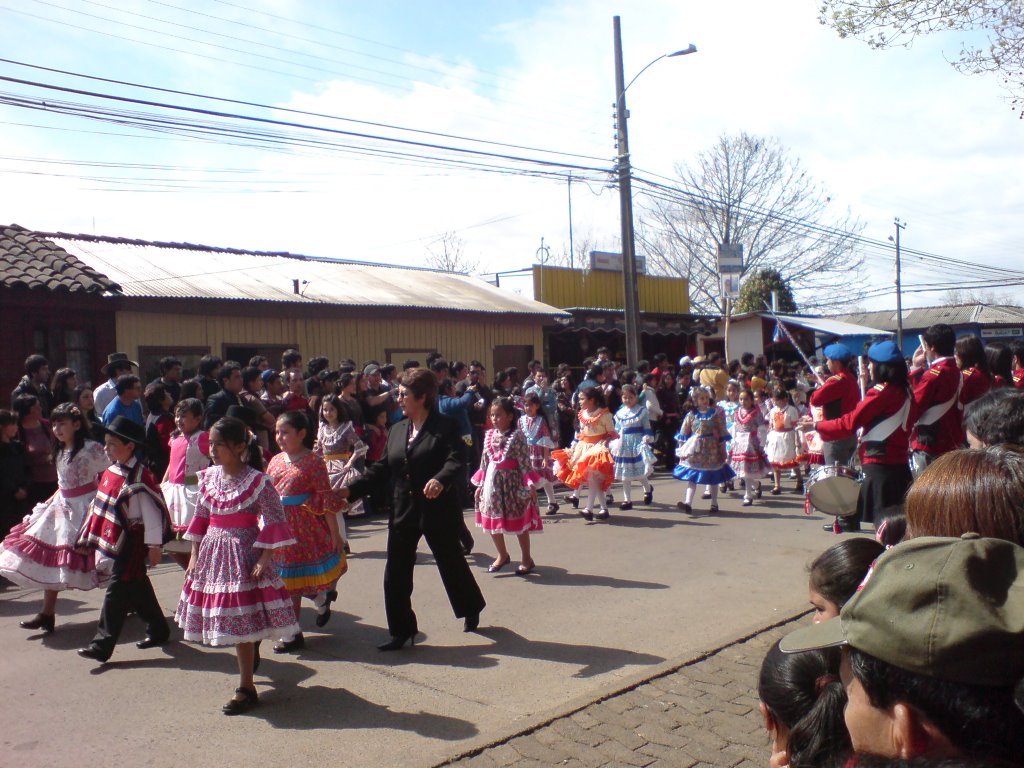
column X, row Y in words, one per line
column 748, row 191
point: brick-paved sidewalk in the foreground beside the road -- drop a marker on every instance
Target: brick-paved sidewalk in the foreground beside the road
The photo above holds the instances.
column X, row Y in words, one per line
column 702, row 715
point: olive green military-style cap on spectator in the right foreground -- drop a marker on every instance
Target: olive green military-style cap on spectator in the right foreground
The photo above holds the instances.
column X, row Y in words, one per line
column 950, row 609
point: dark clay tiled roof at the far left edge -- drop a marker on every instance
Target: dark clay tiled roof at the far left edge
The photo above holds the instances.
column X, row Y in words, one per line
column 29, row 261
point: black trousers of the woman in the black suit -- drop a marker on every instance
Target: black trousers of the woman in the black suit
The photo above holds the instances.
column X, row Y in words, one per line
column 462, row 590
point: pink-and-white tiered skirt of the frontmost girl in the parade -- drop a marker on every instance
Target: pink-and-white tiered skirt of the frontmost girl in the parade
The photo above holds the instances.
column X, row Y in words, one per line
column 223, row 605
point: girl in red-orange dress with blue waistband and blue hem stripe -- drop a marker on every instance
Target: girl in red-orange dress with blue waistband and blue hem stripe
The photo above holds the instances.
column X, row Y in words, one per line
column 317, row 561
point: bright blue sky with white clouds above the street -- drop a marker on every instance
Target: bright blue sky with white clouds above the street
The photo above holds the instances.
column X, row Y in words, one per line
column 897, row 134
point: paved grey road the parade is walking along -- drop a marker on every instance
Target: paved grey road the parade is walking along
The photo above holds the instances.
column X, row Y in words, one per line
column 610, row 605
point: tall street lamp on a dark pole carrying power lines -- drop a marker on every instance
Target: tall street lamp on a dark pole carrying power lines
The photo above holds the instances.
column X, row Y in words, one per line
column 631, row 309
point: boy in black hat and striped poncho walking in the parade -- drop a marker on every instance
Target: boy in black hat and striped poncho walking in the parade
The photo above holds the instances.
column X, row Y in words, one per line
column 127, row 526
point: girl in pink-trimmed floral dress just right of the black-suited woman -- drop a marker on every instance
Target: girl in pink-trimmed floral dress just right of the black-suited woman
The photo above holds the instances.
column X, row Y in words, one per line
column 506, row 495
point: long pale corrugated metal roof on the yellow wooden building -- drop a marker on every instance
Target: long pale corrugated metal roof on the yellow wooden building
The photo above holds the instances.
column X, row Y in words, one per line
column 186, row 271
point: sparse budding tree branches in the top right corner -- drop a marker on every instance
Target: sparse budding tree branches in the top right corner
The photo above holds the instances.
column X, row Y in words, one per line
column 884, row 24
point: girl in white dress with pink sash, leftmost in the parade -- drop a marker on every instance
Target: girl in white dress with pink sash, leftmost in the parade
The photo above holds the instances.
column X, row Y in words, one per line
column 40, row 550
